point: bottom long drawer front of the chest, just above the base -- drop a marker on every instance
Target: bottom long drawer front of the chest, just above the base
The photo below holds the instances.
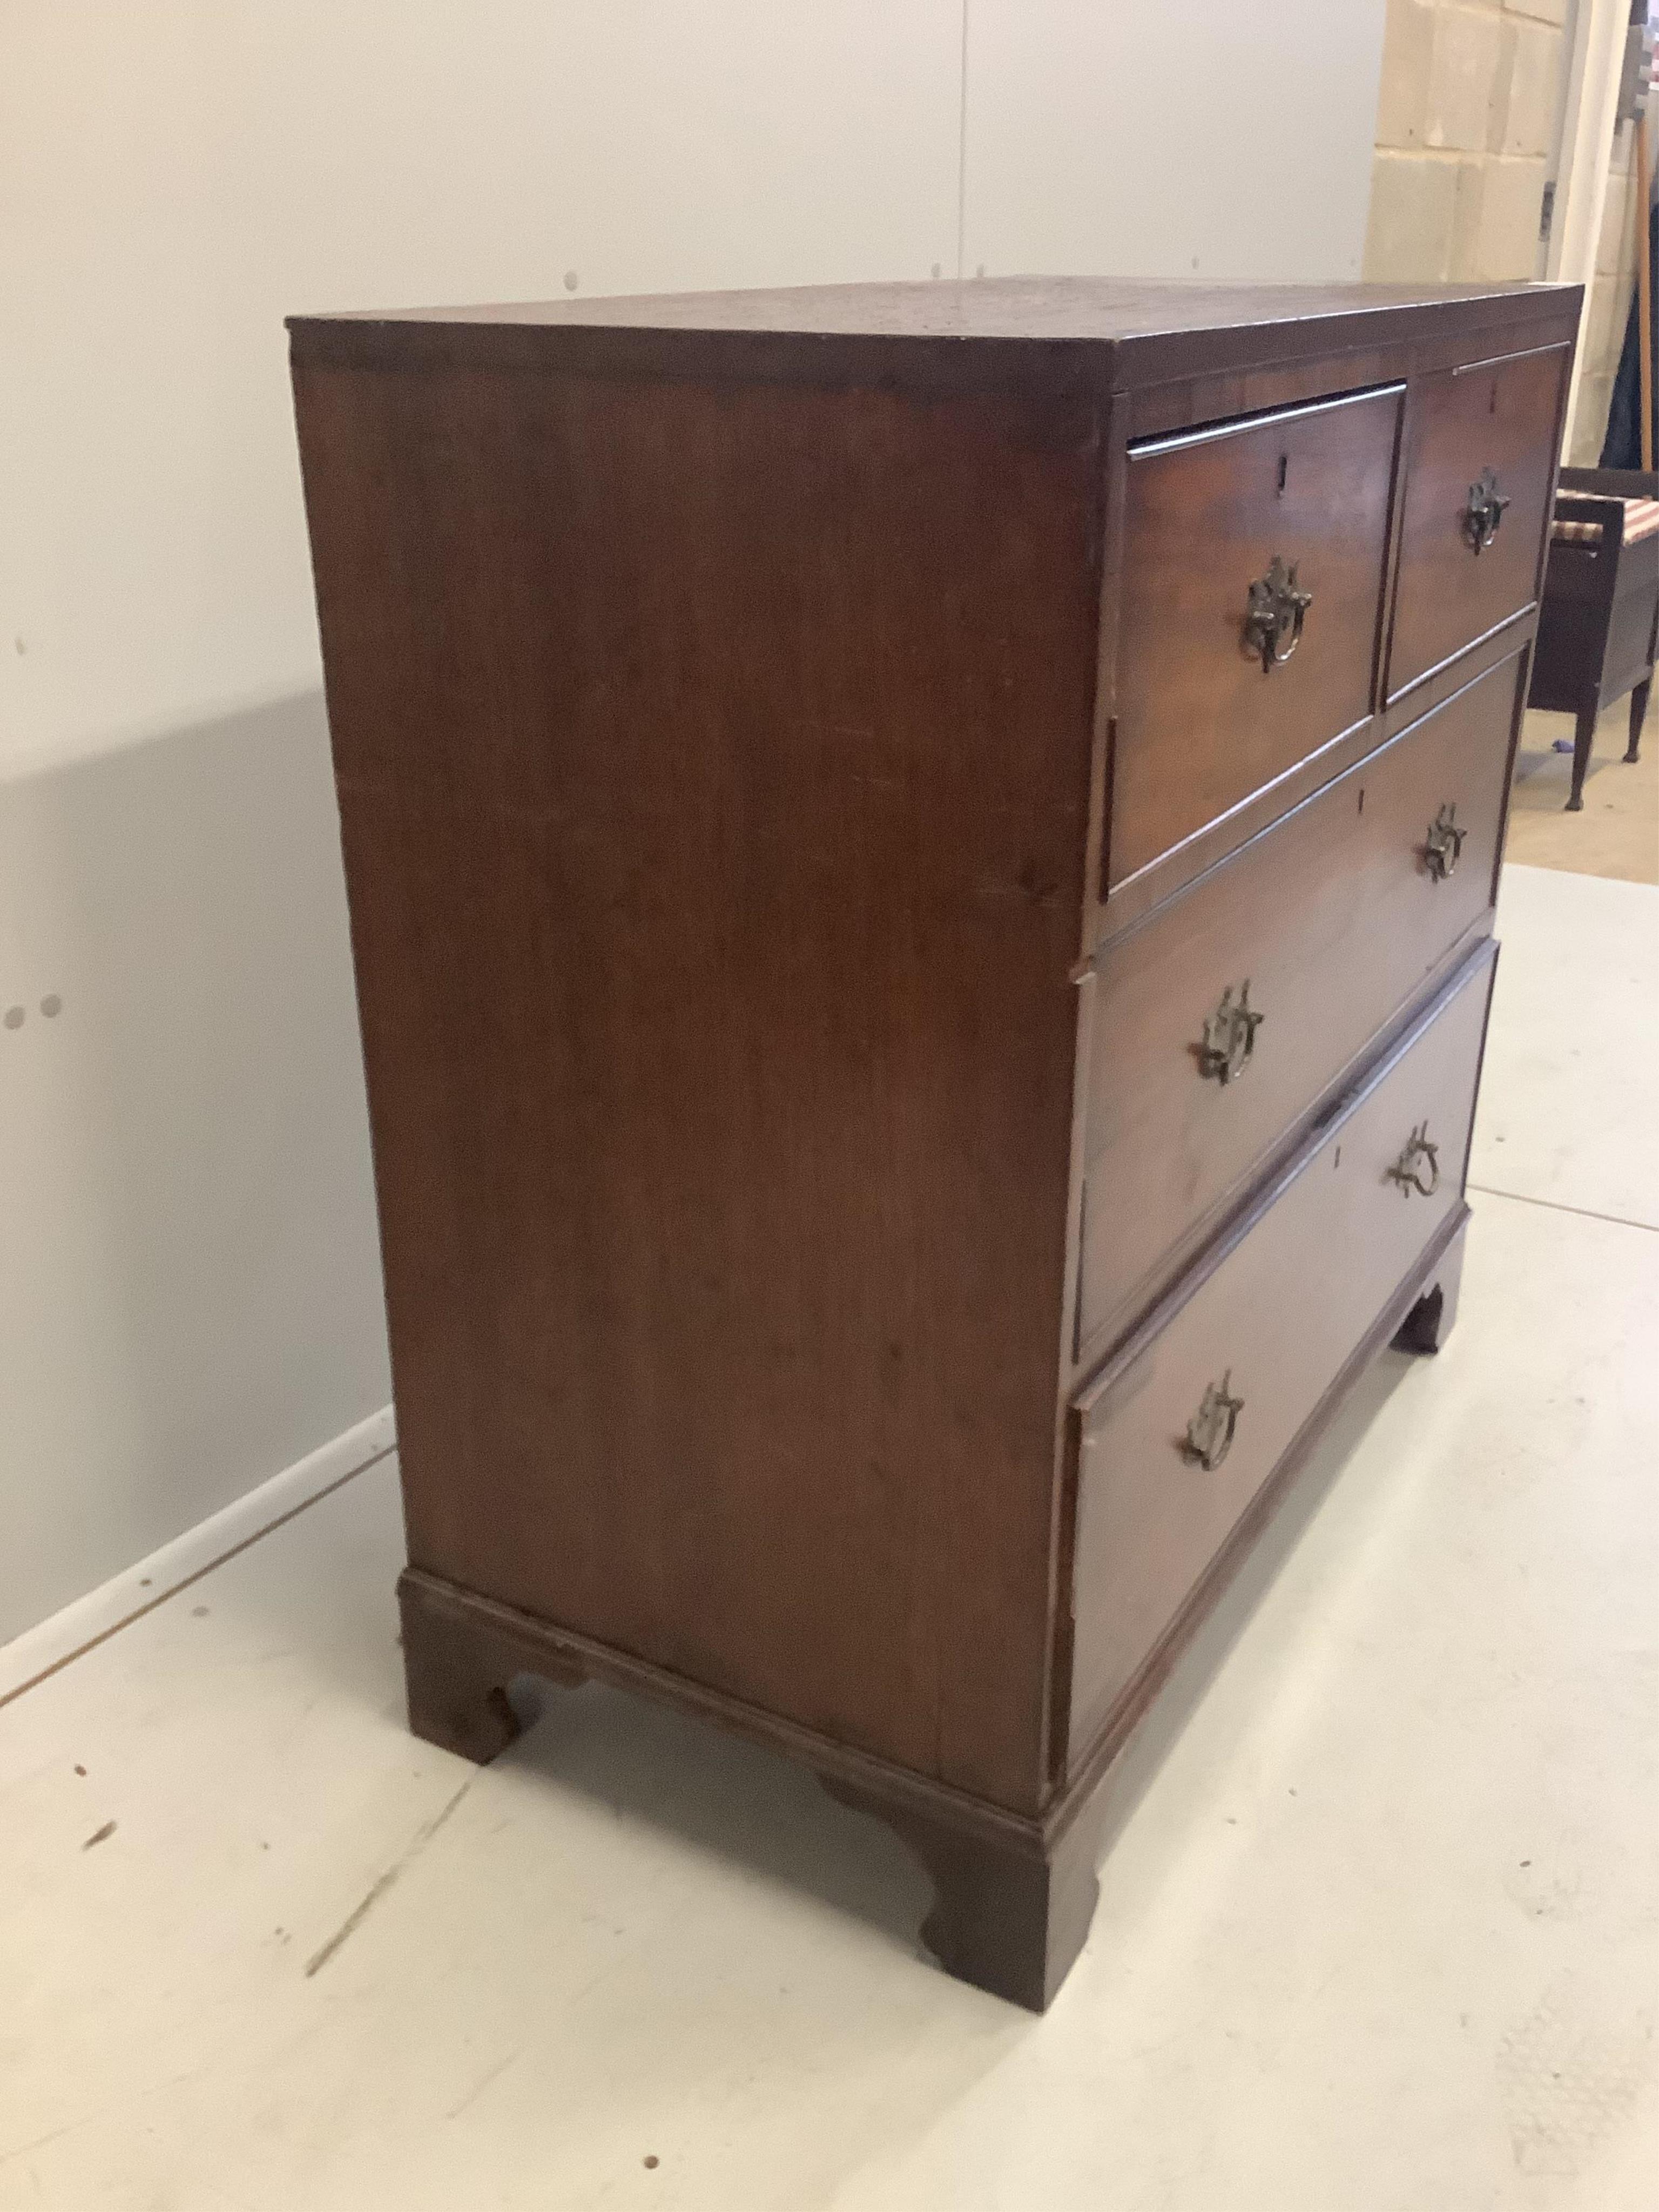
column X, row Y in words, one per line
column 1271, row 1331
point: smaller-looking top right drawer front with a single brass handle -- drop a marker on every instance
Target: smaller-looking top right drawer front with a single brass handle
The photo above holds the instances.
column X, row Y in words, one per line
column 1457, row 576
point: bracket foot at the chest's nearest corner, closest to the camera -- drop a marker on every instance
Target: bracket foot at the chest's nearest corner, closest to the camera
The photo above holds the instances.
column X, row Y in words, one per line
column 1010, row 1914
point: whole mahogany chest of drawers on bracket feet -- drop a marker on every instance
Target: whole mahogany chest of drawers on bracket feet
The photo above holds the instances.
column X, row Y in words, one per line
column 921, row 870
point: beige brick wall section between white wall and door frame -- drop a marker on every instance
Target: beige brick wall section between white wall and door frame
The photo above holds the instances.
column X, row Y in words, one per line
column 1463, row 138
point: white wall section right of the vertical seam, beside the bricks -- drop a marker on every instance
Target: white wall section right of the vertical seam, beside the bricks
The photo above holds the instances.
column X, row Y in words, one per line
column 1171, row 138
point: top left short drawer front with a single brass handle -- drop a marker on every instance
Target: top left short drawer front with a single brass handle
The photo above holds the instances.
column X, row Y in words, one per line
column 1202, row 722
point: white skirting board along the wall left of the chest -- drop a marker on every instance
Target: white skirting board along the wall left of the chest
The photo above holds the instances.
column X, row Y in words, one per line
column 149, row 1583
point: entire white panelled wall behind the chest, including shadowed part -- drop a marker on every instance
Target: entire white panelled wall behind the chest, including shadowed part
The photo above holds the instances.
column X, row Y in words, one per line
column 189, row 1288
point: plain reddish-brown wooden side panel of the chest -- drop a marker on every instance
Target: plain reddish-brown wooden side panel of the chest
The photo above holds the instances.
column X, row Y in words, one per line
column 713, row 773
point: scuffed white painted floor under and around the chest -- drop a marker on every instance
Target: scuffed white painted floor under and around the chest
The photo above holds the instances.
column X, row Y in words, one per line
column 1384, row 1932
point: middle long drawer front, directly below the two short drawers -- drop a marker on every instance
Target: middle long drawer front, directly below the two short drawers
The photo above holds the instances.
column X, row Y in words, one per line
column 1326, row 924
